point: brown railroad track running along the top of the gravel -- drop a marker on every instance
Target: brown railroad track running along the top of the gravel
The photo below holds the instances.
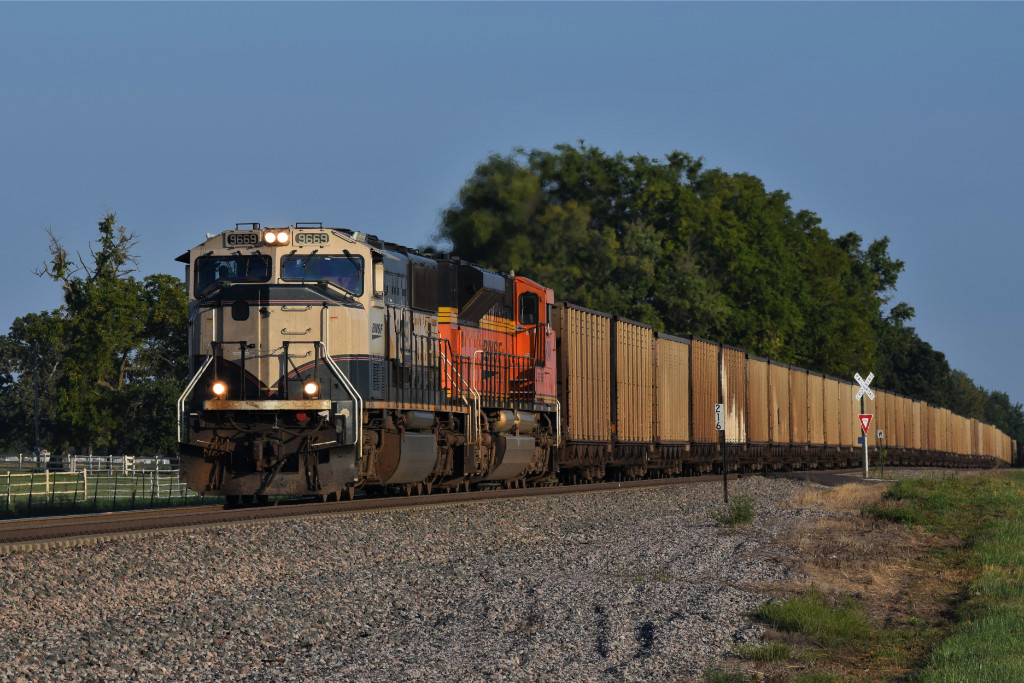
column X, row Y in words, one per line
column 41, row 533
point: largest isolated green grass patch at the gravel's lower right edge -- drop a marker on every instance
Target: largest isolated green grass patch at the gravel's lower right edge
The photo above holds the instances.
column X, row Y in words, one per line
column 810, row 615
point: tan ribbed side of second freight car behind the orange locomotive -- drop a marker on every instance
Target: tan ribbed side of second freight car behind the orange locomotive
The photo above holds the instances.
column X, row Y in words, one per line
column 634, row 363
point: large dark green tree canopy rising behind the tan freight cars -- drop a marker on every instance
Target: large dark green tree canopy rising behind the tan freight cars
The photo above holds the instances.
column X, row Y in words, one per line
column 698, row 251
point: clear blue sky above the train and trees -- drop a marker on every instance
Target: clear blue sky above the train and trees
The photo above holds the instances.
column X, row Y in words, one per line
column 902, row 120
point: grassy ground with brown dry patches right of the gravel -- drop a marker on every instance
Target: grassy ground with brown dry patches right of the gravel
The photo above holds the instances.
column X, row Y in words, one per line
column 923, row 581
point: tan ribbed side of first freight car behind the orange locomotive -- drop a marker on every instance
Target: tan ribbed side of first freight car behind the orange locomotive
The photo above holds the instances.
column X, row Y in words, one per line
column 585, row 373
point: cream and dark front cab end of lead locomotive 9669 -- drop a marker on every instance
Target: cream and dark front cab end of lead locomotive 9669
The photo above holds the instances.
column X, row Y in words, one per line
column 270, row 408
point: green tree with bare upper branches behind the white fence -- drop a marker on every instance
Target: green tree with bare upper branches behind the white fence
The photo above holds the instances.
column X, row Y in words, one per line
column 113, row 355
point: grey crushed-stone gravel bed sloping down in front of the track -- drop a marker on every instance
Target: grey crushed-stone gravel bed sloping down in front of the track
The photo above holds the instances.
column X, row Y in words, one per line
column 638, row 585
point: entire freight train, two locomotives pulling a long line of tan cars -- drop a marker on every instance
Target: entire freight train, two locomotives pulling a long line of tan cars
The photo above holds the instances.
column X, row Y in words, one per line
column 325, row 360
